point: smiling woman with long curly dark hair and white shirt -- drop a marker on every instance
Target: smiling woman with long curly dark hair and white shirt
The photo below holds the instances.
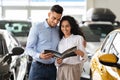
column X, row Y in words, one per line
column 71, row 35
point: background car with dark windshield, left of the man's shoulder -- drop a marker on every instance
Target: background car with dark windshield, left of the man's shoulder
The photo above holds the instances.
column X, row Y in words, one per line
column 19, row 28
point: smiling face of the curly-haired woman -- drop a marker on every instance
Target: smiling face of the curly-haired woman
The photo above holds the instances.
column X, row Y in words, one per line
column 66, row 28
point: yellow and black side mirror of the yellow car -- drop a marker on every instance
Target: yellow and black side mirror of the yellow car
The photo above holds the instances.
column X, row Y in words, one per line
column 109, row 60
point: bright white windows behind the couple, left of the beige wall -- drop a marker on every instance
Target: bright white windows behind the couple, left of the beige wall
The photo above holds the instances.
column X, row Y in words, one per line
column 38, row 9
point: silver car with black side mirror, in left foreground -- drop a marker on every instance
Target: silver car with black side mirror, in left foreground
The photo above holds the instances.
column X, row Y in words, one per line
column 13, row 61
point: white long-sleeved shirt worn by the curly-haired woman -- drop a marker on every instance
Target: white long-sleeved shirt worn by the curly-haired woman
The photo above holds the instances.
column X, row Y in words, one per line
column 71, row 41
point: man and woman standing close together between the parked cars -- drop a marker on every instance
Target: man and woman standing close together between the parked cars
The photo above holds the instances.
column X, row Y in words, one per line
column 47, row 35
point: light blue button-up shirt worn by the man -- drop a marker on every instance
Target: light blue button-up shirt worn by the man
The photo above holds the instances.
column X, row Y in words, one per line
column 41, row 37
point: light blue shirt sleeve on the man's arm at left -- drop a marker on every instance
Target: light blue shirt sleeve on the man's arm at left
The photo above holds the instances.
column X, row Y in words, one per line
column 31, row 42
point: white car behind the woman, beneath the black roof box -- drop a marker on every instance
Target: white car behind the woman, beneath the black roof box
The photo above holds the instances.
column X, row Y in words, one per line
column 94, row 36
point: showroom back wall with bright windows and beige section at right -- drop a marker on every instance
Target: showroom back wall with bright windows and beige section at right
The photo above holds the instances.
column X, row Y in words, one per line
column 37, row 9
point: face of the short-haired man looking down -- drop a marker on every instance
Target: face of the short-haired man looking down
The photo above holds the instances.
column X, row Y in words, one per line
column 54, row 18
